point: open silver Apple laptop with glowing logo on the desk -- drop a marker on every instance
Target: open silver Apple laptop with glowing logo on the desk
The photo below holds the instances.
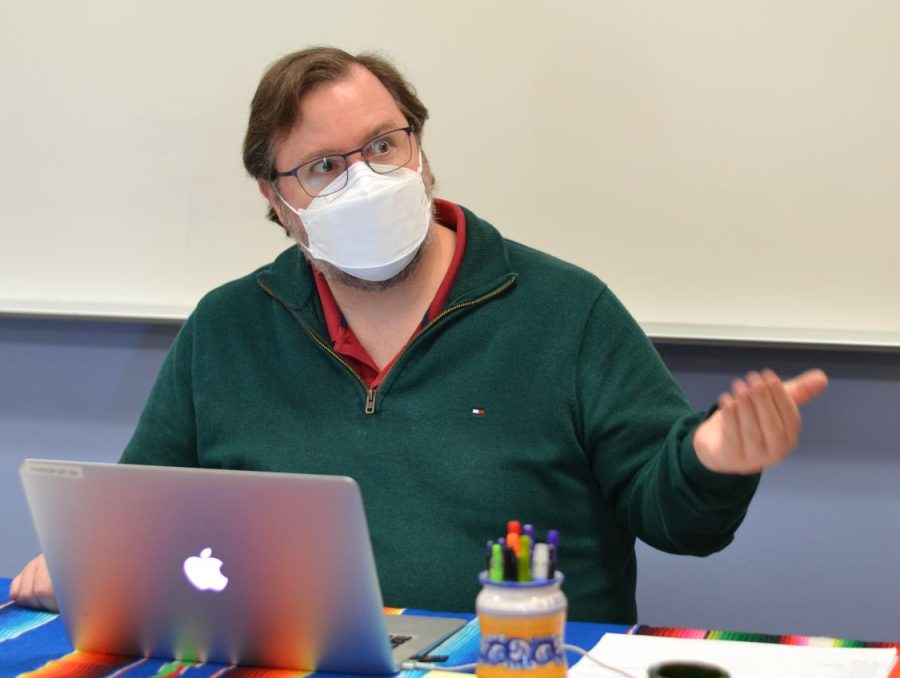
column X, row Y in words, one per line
column 239, row 567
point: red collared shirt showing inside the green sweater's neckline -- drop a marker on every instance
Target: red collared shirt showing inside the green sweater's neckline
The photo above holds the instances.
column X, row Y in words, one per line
column 344, row 341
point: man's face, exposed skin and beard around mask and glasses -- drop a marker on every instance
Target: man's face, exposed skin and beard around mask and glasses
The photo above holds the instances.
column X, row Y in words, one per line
column 335, row 118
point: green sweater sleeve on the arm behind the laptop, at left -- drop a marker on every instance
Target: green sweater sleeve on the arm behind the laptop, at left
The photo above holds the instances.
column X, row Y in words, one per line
column 166, row 433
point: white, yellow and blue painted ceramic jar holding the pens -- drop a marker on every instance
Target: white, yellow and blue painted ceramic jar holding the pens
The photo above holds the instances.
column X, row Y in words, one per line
column 522, row 628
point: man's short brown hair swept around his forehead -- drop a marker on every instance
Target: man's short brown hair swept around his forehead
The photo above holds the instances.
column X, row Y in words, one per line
column 275, row 105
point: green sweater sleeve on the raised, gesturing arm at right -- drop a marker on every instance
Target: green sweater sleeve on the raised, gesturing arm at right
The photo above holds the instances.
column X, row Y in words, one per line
column 638, row 434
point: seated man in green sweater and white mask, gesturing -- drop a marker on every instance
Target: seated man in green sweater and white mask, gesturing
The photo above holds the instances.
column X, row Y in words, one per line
column 460, row 378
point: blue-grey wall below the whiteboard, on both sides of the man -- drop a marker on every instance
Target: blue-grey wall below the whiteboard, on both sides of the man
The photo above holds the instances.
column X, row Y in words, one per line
column 817, row 554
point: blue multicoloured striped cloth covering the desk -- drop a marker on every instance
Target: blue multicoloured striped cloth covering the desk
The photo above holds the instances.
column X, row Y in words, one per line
column 35, row 643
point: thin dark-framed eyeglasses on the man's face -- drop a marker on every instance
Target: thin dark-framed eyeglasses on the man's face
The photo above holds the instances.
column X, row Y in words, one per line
column 384, row 154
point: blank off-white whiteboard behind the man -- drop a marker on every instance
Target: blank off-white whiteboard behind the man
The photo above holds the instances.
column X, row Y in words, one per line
column 731, row 169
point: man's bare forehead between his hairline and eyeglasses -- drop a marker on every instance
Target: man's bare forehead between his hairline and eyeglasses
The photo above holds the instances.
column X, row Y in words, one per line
column 340, row 115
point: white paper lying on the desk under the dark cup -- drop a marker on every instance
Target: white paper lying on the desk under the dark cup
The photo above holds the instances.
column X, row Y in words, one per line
column 635, row 654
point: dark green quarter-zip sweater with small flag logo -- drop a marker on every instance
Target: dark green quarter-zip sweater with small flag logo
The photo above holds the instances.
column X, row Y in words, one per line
column 584, row 430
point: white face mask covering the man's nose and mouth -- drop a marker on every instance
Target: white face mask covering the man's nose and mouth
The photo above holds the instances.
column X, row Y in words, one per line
column 373, row 227
